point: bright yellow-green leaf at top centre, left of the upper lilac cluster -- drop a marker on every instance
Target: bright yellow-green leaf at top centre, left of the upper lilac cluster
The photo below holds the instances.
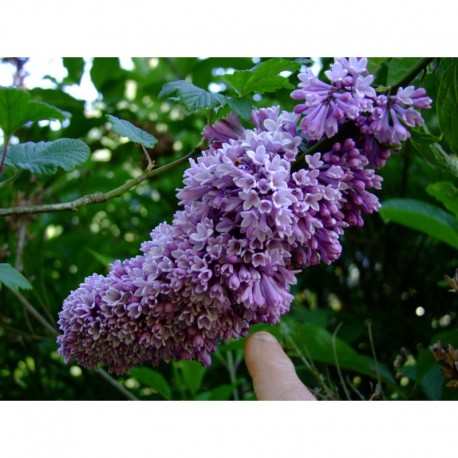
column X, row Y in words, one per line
column 263, row 77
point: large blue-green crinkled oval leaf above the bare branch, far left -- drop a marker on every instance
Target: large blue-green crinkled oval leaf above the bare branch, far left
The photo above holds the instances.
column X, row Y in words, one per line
column 44, row 158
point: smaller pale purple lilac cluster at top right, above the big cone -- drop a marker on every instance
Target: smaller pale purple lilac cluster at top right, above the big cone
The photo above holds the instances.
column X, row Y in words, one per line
column 382, row 119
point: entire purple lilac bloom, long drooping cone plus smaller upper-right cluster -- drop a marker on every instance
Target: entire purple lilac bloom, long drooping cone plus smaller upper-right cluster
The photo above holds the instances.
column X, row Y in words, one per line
column 248, row 224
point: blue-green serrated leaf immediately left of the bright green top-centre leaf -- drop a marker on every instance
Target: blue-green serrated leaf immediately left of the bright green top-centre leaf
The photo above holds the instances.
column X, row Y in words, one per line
column 191, row 97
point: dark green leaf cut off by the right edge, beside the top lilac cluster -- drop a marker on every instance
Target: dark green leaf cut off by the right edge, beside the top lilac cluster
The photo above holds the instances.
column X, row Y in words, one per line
column 447, row 105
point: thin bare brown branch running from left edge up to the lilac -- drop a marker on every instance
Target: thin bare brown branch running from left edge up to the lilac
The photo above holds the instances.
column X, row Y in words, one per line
column 99, row 197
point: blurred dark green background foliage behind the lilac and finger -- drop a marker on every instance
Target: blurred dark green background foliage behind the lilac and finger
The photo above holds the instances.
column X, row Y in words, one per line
column 358, row 329
